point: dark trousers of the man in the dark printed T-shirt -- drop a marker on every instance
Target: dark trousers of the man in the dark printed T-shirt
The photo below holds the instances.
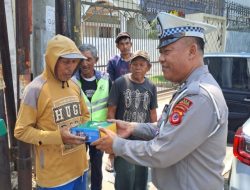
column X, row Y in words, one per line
column 129, row 176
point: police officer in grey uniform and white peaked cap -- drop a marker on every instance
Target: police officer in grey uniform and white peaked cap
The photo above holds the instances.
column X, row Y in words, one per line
column 187, row 146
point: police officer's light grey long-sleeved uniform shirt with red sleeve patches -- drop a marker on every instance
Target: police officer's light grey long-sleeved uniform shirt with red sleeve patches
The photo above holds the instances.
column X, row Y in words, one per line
column 181, row 152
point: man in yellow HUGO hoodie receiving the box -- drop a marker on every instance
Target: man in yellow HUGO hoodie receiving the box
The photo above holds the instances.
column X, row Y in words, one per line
column 51, row 105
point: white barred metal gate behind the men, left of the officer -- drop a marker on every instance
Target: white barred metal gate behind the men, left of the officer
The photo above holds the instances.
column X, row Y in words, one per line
column 103, row 20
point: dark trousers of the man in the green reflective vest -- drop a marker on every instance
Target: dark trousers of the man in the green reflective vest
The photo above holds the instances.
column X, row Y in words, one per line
column 96, row 167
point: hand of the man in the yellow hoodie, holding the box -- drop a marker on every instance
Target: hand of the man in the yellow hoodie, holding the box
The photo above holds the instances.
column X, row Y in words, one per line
column 68, row 138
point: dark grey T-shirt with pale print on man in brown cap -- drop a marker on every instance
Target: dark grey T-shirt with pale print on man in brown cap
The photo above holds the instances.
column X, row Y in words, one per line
column 133, row 101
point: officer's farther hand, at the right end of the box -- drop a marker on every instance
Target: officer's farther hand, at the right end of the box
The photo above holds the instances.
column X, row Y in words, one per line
column 124, row 129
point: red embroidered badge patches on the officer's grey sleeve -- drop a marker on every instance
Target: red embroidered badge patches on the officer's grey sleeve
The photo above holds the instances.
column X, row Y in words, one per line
column 179, row 110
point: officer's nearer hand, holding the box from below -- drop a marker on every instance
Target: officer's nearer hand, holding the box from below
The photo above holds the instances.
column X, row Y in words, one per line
column 105, row 143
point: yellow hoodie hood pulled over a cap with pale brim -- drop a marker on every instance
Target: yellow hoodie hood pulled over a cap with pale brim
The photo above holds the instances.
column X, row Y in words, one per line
column 59, row 46
